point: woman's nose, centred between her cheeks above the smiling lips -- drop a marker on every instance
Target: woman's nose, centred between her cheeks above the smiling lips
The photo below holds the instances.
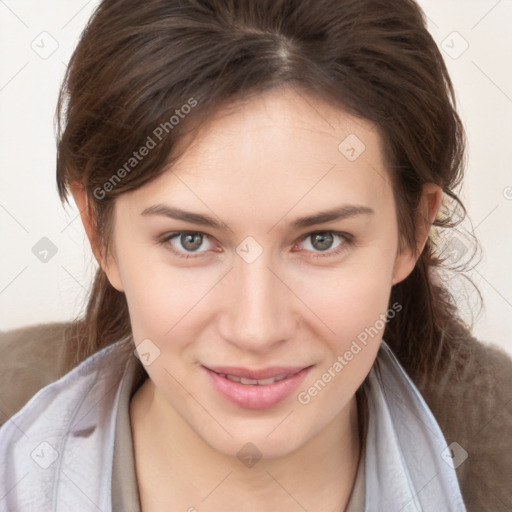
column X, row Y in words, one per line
column 258, row 307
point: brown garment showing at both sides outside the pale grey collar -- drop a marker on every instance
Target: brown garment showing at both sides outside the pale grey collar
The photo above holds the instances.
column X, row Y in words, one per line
column 472, row 404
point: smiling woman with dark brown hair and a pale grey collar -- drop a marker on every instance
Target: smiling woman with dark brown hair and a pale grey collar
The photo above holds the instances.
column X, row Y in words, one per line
column 258, row 181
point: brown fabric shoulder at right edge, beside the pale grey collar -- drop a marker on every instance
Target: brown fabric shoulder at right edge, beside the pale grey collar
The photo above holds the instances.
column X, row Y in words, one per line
column 471, row 399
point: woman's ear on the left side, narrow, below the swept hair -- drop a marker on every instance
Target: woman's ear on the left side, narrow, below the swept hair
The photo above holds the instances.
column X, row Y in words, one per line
column 107, row 263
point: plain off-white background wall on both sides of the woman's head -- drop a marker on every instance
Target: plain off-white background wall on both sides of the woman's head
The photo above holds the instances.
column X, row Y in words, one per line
column 32, row 291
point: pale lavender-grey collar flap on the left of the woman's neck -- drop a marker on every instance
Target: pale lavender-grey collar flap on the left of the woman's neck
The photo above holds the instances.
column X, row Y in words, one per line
column 69, row 420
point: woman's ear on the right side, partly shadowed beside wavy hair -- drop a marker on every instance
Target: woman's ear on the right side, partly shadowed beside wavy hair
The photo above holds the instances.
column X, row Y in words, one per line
column 429, row 206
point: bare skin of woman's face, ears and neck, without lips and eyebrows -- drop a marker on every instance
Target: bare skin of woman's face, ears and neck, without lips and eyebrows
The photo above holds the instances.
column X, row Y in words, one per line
column 257, row 168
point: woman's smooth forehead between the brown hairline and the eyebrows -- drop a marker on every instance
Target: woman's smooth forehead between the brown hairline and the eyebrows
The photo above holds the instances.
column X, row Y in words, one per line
column 282, row 149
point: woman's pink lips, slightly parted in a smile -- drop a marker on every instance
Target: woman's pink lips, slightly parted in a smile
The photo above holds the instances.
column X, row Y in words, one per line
column 256, row 393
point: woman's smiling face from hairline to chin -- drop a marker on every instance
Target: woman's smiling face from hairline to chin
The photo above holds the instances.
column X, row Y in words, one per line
column 251, row 286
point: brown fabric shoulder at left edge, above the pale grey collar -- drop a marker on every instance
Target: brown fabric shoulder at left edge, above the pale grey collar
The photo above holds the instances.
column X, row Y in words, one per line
column 32, row 357
